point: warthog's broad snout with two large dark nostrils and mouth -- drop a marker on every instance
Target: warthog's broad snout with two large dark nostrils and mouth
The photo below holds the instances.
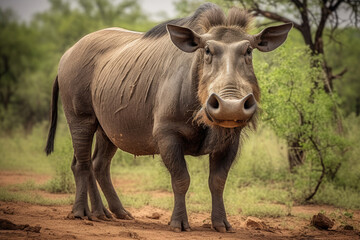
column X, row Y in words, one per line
column 230, row 113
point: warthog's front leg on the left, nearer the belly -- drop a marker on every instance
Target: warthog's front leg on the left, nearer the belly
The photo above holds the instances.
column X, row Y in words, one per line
column 171, row 151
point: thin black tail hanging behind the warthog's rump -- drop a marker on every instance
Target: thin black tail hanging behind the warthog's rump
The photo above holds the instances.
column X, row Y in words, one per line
column 53, row 118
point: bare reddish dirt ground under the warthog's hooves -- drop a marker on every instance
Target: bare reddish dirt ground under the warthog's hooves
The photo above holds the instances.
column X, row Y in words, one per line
column 55, row 225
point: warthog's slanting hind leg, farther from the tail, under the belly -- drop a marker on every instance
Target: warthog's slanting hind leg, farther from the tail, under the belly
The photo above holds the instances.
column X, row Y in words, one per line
column 105, row 150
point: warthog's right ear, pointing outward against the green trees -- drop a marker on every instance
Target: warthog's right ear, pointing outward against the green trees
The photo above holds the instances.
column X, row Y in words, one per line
column 271, row 37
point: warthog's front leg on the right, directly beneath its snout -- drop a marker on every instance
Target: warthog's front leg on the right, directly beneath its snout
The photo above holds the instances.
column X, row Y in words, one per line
column 220, row 163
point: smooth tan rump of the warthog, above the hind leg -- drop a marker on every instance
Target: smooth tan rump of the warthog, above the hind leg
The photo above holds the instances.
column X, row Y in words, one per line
column 77, row 66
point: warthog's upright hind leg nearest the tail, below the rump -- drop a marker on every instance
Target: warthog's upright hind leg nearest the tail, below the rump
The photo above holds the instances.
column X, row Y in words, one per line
column 82, row 132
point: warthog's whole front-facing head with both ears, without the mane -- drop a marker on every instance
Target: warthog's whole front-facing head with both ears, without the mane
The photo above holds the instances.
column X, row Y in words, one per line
column 227, row 86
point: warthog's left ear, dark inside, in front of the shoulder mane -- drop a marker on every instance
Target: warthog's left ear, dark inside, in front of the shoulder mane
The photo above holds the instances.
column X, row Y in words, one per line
column 184, row 38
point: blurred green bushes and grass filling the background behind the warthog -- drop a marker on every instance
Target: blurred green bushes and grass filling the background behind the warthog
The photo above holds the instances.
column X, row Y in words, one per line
column 259, row 184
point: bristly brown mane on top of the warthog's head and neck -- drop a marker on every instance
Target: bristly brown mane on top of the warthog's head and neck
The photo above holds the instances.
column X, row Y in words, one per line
column 205, row 17
